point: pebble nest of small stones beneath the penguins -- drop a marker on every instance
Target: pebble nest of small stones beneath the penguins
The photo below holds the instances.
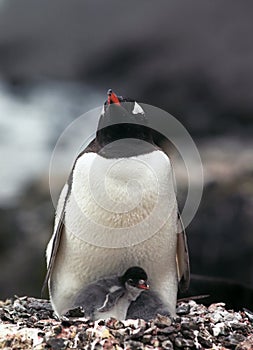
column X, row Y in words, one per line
column 29, row 323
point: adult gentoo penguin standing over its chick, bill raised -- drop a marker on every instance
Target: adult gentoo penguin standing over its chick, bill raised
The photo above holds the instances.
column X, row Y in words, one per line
column 118, row 209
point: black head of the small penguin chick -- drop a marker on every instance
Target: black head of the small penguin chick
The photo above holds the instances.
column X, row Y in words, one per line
column 135, row 277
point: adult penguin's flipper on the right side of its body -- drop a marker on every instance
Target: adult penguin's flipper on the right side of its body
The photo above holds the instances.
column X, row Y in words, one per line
column 182, row 257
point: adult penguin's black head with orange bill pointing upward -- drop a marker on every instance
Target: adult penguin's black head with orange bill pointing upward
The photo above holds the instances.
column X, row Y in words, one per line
column 122, row 118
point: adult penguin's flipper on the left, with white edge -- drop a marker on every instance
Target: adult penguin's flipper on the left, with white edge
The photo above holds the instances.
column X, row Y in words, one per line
column 54, row 242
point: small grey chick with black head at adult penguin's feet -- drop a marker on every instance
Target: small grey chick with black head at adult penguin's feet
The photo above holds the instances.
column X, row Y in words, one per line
column 111, row 296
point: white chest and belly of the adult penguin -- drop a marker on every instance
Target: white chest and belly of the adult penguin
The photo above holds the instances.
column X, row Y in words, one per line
column 120, row 213
